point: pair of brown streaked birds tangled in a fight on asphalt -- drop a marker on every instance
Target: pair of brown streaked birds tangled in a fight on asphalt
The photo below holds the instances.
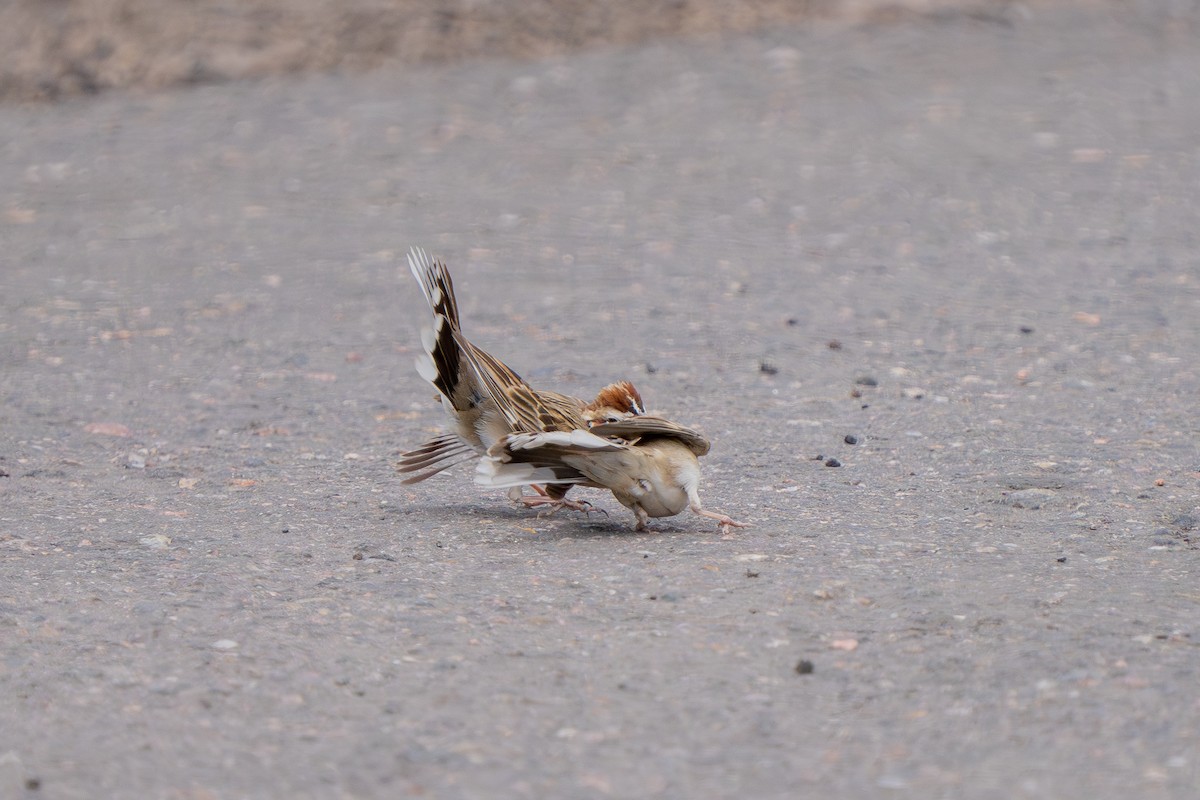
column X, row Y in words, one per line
column 542, row 440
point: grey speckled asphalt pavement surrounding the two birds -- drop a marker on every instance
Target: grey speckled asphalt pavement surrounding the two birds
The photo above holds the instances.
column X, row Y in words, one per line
column 968, row 243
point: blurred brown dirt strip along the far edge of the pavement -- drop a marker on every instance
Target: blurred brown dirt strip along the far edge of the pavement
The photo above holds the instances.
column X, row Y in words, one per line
column 59, row 49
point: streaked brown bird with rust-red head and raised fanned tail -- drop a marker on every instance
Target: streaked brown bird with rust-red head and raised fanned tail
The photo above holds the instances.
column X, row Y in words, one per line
column 487, row 400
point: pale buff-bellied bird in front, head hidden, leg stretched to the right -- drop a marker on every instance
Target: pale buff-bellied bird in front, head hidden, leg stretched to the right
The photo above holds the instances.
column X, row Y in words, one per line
column 650, row 464
